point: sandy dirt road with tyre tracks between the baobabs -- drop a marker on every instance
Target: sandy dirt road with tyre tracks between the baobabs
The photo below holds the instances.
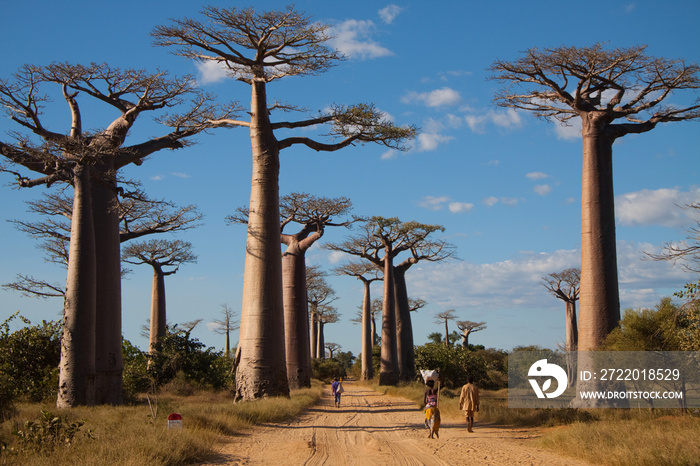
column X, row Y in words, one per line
column 374, row 429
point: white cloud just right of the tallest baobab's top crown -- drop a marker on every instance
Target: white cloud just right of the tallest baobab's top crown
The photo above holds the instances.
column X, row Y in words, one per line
column 353, row 38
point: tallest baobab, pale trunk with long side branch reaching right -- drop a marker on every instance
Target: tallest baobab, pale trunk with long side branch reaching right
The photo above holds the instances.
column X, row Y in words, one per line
column 257, row 48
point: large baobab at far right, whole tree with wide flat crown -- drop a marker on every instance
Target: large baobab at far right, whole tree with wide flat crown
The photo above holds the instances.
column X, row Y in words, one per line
column 614, row 92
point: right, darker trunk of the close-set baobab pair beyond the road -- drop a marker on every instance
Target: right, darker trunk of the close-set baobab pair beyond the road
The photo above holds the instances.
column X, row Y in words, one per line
column 404, row 328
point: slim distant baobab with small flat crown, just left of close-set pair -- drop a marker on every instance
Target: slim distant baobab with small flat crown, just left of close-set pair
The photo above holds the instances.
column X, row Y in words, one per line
column 366, row 273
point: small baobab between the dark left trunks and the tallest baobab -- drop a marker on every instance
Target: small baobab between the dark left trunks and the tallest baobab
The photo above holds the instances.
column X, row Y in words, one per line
column 165, row 258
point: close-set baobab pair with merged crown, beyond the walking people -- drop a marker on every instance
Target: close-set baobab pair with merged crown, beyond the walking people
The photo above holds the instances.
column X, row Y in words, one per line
column 380, row 242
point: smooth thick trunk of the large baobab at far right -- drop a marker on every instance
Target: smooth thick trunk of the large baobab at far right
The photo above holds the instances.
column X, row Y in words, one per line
column 599, row 311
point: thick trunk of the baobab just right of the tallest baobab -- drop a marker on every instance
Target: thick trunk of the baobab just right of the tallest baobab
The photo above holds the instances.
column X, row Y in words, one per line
column 296, row 318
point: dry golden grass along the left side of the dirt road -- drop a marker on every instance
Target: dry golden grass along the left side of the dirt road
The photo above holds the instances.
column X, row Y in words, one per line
column 130, row 435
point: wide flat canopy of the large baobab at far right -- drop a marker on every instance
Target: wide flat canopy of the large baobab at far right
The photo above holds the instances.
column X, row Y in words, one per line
column 617, row 84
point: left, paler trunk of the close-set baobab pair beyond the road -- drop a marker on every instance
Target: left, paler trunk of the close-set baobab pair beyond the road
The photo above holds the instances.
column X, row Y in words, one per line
column 388, row 369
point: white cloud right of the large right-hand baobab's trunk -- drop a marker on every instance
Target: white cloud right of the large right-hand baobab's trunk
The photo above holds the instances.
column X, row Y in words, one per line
column 656, row 207
